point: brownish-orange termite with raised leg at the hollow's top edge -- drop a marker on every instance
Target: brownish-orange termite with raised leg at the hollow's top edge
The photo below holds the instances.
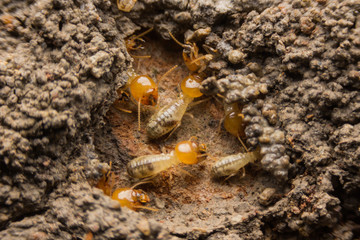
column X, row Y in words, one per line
column 194, row 61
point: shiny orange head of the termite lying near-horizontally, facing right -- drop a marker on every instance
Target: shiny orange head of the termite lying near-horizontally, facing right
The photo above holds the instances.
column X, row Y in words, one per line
column 190, row 151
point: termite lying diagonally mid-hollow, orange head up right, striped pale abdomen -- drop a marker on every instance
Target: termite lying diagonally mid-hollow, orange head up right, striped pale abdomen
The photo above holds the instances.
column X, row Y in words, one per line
column 168, row 118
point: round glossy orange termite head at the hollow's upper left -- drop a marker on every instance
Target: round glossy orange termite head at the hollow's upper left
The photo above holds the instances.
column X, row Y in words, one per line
column 144, row 90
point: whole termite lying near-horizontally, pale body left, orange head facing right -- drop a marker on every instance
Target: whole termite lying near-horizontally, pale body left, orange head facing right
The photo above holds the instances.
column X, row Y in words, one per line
column 187, row 152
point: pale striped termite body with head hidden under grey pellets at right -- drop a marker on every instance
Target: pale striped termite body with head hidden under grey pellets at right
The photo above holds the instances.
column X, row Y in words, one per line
column 230, row 165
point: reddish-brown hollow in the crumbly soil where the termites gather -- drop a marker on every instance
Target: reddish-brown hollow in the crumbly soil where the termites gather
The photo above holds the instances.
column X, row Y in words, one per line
column 181, row 189
